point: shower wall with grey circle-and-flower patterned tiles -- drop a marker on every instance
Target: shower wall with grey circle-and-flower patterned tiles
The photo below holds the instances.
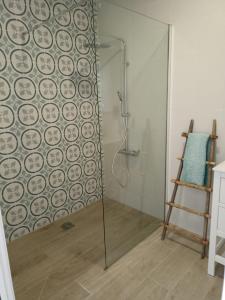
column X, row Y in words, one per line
column 49, row 141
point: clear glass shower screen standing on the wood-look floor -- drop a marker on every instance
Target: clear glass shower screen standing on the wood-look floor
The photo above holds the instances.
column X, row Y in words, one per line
column 132, row 52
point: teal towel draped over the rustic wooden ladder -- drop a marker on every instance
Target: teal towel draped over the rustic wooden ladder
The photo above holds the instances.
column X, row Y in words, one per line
column 195, row 156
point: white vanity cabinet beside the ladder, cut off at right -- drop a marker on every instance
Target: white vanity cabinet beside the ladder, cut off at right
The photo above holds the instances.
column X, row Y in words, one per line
column 217, row 231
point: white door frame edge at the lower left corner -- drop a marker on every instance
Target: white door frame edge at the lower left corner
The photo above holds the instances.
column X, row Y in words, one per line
column 6, row 284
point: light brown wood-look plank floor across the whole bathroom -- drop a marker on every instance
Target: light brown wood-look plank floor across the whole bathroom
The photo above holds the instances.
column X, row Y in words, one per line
column 69, row 265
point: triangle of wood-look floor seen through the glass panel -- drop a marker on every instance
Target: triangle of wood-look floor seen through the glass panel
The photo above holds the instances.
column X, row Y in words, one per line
column 125, row 227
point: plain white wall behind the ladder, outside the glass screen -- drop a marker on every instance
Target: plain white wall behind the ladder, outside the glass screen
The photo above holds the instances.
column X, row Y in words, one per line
column 198, row 77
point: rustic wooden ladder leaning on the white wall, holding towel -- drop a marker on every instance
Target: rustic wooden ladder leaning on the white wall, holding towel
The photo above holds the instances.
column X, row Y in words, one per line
column 206, row 188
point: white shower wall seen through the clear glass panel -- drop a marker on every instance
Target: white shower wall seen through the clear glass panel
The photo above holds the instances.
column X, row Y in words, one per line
column 147, row 54
